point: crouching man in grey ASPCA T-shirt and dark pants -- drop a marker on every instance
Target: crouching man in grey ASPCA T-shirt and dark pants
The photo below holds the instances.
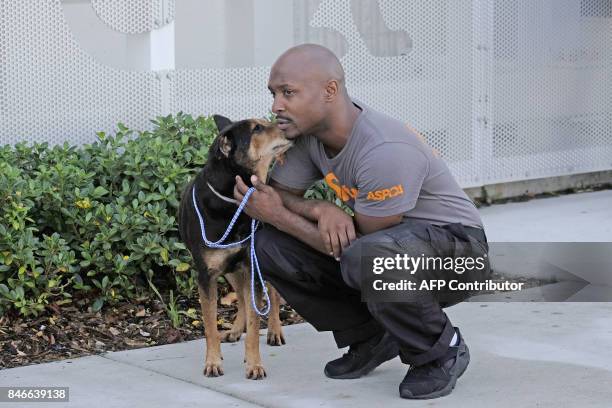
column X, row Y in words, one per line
column 405, row 201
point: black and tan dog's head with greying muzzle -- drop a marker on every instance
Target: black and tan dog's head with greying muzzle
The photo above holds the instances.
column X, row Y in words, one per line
column 250, row 145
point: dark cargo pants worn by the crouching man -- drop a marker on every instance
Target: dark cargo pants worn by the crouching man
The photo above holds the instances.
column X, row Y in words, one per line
column 327, row 293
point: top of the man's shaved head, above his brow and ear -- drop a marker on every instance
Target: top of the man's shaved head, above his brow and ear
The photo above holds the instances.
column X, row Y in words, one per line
column 310, row 63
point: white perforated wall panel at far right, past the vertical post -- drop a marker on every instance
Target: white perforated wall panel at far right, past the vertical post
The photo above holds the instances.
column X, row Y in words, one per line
column 551, row 103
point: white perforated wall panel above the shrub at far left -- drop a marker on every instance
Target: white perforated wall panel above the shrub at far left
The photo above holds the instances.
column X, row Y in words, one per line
column 53, row 91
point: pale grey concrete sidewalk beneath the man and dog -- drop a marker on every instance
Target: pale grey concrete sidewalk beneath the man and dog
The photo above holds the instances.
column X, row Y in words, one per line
column 523, row 354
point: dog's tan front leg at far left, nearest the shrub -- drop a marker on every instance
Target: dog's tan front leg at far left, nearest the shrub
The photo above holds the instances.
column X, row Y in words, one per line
column 208, row 302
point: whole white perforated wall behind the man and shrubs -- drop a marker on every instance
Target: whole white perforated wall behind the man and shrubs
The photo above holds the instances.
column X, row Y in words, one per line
column 505, row 89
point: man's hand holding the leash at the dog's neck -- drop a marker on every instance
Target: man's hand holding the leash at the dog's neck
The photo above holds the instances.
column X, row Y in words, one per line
column 264, row 204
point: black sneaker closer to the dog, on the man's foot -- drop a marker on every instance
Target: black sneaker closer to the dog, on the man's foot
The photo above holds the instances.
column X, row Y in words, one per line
column 362, row 358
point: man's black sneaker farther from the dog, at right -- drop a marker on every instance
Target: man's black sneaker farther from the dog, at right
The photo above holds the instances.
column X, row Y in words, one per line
column 437, row 378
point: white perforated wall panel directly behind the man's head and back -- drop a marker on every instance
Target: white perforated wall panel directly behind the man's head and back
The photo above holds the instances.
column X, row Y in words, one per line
column 412, row 60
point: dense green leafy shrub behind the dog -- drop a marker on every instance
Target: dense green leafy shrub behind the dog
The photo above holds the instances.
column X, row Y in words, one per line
column 97, row 222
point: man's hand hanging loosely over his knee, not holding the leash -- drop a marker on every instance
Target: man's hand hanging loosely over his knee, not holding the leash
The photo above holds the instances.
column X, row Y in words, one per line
column 336, row 228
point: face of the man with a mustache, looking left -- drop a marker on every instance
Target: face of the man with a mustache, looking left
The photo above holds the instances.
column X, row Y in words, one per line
column 299, row 102
